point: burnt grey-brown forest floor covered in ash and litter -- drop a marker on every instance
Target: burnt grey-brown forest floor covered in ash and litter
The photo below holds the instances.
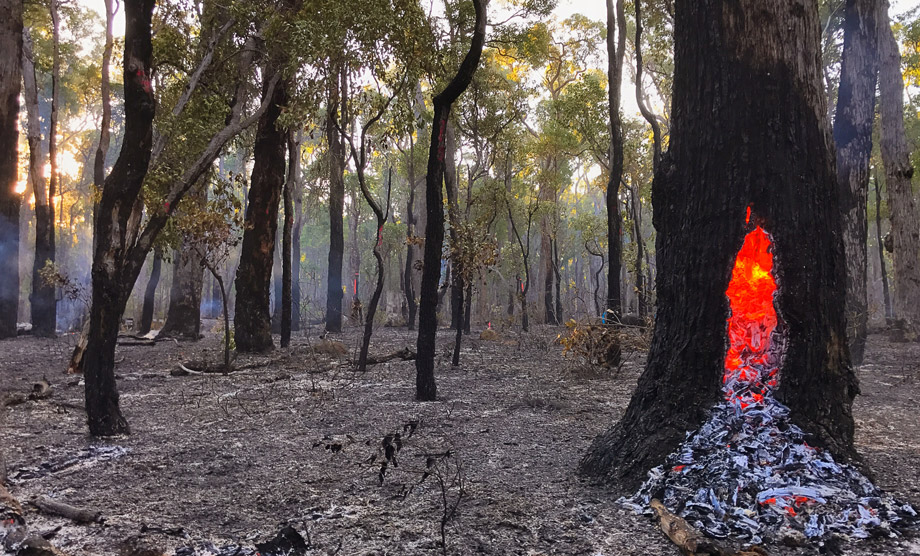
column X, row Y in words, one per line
column 291, row 438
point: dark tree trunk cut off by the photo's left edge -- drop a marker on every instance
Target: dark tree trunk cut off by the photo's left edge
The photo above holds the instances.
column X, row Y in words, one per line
column 10, row 199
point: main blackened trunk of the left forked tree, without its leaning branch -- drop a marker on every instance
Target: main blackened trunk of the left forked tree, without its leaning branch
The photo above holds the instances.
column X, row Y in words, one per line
column 111, row 287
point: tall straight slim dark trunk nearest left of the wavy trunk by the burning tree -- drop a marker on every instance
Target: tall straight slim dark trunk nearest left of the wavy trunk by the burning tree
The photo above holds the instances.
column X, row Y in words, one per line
column 616, row 19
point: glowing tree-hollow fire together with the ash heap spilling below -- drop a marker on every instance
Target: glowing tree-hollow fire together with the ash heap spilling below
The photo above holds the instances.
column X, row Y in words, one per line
column 748, row 473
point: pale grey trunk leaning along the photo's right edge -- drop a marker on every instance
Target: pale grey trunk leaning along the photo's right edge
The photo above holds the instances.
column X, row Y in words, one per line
column 905, row 212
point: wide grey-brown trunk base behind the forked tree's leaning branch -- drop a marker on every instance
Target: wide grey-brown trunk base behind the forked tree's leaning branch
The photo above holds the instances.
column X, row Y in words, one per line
column 183, row 317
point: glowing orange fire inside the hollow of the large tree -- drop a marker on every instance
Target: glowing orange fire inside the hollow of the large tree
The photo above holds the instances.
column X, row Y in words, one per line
column 750, row 366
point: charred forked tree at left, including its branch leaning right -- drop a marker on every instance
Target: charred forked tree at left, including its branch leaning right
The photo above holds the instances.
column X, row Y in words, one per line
column 123, row 234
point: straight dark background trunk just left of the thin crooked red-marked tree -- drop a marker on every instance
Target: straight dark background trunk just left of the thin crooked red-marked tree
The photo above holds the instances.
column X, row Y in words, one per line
column 336, row 147
